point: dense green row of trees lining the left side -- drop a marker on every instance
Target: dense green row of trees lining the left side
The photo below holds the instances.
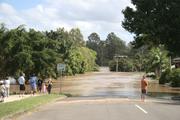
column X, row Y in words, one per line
column 32, row 51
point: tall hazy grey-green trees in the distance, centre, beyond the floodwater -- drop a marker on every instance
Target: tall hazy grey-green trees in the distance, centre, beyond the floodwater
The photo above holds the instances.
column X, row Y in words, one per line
column 106, row 49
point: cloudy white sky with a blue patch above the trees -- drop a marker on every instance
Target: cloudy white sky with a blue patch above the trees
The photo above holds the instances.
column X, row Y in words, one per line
column 101, row 16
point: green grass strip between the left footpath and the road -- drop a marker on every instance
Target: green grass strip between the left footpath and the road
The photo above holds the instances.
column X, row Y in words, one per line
column 12, row 108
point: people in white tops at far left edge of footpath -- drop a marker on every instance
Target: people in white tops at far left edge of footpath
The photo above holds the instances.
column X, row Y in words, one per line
column 4, row 89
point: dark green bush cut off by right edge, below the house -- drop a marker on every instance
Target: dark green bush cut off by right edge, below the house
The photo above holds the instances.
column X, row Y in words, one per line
column 175, row 78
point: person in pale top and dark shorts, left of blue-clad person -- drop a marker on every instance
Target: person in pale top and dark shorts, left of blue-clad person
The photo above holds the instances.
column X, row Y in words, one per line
column 22, row 88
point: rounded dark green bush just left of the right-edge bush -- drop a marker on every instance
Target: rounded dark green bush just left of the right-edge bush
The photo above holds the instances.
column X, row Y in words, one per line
column 165, row 77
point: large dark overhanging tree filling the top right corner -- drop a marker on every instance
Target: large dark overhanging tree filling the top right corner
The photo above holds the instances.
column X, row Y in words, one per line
column 154, row 22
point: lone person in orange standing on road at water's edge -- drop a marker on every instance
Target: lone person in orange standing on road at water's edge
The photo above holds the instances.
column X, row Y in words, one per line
column 144, row 85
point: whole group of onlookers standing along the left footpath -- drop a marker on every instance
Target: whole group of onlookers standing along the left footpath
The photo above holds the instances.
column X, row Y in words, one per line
column 35, row 83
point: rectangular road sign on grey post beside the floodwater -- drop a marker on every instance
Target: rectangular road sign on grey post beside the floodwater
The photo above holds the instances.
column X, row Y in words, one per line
column 60, row 68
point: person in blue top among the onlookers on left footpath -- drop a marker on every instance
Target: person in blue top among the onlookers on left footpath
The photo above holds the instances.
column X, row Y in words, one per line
column 32, row 81
